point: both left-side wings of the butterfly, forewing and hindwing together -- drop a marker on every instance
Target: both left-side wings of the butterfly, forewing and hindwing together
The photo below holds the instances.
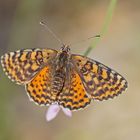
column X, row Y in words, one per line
column 31, row 67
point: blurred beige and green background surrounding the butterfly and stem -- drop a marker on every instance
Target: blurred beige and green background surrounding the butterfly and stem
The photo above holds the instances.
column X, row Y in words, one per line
column 72, row 21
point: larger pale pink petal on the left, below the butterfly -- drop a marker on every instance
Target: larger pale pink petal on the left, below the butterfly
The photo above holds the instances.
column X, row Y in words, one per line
column 52, row 112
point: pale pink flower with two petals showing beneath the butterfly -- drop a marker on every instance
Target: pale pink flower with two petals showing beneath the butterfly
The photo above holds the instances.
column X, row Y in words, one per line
column 54, row 109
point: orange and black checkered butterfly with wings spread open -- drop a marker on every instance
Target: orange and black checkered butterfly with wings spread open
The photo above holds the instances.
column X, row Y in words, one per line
column 70, row 80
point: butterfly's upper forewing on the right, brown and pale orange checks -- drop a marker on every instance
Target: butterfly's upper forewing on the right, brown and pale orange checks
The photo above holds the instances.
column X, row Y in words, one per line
column 100, row 81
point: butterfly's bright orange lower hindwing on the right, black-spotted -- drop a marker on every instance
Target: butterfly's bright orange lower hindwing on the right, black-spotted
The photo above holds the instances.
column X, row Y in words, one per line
column 73, row 95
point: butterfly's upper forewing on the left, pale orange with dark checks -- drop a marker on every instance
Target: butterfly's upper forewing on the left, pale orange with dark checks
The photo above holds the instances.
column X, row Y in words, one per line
column 22, row 65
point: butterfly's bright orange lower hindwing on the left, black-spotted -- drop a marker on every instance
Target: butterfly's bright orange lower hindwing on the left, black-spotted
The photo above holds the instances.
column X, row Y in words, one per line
column 39, row 88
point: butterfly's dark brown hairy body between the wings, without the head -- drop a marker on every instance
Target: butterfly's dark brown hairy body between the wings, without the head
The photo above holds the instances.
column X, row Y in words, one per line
column 60, row 71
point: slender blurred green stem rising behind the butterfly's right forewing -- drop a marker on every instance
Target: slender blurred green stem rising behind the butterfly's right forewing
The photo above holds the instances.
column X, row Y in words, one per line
column 104, row 28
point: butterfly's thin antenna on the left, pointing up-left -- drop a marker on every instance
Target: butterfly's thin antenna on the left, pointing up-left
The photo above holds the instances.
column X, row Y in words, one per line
column 53, row 34
